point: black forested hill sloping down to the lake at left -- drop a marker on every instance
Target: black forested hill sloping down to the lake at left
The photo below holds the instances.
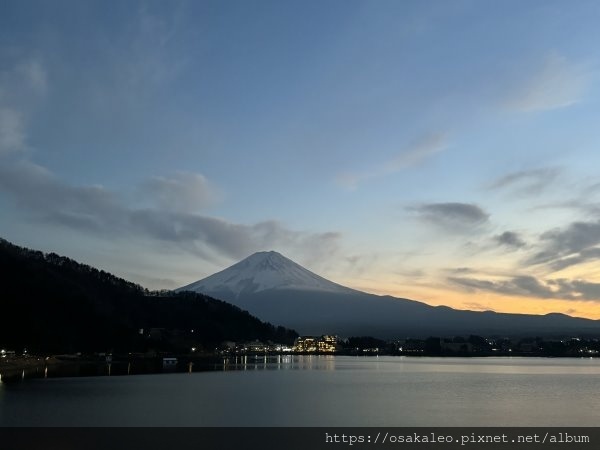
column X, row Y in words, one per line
column 50, row 303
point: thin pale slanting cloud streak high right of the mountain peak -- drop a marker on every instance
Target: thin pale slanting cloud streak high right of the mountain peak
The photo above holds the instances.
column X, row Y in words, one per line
column 415, row 154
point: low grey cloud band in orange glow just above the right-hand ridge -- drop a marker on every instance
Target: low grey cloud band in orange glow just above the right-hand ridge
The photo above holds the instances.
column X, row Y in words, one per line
column 528, row 286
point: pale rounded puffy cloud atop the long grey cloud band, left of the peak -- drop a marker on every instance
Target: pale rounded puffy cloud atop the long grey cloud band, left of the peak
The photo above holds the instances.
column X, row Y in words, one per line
column 181, row 191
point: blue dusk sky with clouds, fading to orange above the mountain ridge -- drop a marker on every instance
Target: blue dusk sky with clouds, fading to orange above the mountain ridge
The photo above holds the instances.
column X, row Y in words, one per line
column 443, row 151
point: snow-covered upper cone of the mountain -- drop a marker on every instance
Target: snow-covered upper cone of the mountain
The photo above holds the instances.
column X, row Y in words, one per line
column 264, row 271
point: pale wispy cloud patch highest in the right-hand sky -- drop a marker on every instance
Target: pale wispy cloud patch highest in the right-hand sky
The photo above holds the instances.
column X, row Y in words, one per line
column 557, row 83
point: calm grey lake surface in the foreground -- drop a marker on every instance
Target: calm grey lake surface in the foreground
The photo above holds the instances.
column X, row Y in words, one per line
column 322, row 391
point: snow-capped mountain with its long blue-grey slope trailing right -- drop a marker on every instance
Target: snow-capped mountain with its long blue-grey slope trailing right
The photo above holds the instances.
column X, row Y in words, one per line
column 276, row 289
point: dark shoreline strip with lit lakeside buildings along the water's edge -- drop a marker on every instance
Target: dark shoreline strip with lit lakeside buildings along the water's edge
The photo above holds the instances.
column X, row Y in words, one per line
column 228, row 355
